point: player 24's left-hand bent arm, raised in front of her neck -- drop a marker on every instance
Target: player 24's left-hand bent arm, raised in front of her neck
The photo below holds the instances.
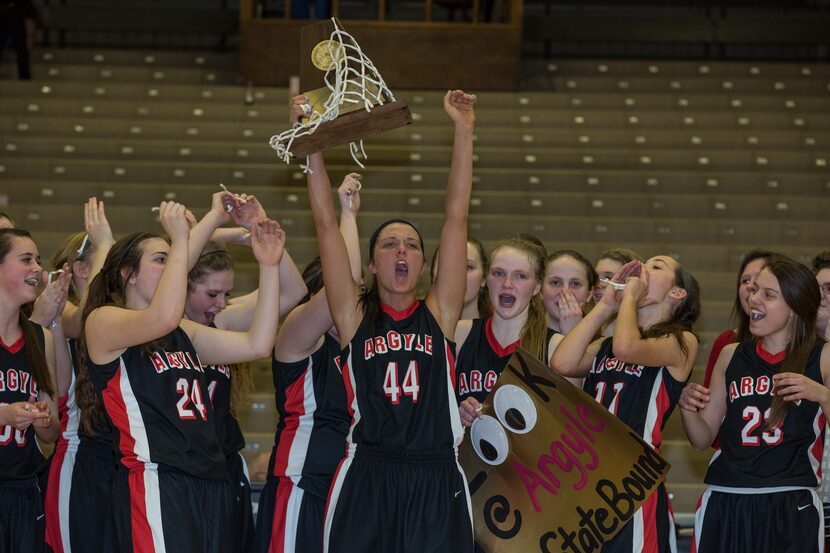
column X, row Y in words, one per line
column 110, row 330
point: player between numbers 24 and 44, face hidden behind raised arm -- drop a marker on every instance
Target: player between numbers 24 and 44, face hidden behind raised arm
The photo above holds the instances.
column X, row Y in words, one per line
column 311, row 401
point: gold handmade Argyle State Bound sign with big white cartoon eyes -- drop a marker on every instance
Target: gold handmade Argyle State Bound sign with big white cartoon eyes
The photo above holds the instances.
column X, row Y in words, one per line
column 549, row 469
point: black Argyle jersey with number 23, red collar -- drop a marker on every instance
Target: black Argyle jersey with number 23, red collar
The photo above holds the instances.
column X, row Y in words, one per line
column 750, row 456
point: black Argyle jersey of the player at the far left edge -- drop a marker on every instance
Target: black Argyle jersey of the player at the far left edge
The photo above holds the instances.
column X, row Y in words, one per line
column 20, row 455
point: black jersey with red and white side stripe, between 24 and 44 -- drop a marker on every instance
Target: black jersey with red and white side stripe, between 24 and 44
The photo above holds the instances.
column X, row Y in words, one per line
column 314, row 420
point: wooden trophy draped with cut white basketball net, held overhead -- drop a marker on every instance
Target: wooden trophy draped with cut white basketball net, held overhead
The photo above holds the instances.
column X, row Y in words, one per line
column 353, row 101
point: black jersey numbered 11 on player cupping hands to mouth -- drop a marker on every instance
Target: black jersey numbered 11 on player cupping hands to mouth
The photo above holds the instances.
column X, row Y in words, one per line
column 642, row 397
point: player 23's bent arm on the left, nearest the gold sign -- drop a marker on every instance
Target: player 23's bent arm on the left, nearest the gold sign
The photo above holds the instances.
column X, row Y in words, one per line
column 702, row 424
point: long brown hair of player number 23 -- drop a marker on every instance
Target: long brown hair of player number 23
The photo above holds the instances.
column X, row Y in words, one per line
column 800, row 291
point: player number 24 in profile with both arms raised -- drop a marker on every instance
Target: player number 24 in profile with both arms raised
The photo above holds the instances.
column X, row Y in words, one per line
column 147, row 364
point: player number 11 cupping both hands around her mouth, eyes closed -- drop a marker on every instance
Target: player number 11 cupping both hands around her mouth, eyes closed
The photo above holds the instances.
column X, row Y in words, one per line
column 639, row 373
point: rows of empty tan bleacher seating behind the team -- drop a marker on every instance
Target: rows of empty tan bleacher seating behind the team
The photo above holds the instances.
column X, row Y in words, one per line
column 699, row 160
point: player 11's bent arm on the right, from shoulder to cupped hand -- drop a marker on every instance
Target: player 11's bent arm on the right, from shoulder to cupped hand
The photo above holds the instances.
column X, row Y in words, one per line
column 631, row 347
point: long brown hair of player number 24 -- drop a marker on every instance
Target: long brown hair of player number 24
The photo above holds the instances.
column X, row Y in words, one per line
column 108, row 287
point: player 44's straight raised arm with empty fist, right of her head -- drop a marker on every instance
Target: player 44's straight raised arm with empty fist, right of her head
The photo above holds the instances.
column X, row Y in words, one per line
column 446, row 295
